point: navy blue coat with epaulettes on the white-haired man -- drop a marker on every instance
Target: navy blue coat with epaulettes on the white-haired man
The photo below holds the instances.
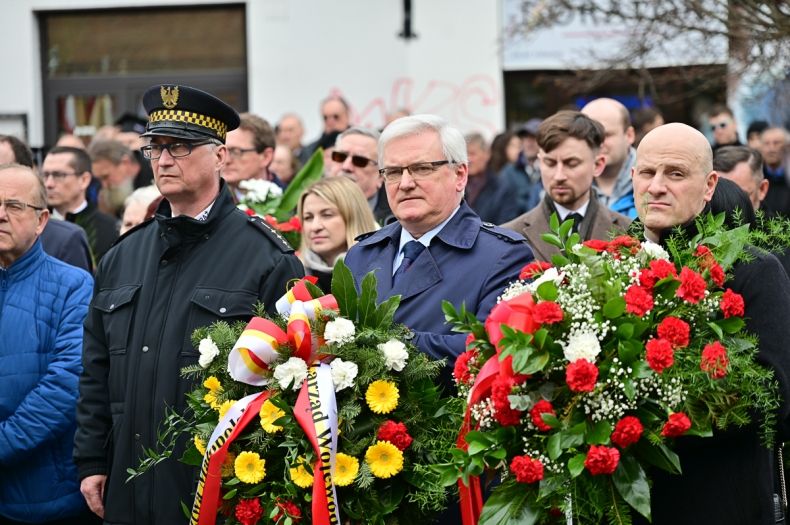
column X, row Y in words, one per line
column 468, row 262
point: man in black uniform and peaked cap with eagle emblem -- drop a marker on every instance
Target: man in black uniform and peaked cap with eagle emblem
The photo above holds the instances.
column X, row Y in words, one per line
column 162, row 280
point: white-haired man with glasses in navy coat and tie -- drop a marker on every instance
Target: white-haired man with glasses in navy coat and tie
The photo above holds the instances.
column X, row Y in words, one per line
column 439, row 249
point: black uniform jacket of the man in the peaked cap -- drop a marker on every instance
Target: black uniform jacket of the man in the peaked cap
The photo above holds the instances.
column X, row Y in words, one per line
column 162, row 280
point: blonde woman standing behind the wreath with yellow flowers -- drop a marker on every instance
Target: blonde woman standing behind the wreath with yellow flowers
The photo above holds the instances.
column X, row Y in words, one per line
column 333, row 212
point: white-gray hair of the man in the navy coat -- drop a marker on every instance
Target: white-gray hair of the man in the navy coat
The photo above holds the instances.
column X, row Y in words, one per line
column 453, row 143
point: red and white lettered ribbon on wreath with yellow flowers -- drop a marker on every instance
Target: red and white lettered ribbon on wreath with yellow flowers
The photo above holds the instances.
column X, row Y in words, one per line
column 250, row 361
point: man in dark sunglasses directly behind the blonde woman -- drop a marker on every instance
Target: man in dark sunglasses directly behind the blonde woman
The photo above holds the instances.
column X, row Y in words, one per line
column 354, row 156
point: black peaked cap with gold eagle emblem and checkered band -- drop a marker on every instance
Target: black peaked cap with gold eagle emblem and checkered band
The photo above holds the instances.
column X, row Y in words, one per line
column 187, row 113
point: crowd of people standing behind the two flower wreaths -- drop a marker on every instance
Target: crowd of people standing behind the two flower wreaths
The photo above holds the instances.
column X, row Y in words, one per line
column 111, row 254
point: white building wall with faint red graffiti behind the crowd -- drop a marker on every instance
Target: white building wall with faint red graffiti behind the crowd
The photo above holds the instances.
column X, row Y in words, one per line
column 300, row 51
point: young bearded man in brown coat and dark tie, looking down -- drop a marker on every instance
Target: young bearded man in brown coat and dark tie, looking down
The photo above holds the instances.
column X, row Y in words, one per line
column 569, row 161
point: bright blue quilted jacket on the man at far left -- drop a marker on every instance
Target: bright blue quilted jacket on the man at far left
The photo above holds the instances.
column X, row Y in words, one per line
column 43, row 303
